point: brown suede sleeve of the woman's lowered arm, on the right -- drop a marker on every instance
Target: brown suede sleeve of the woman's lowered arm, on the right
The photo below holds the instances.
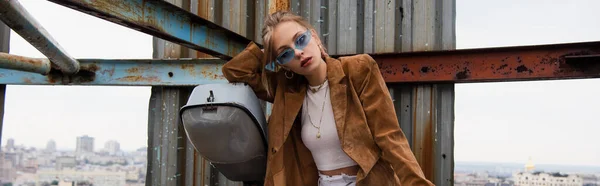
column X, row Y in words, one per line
column 381, row 118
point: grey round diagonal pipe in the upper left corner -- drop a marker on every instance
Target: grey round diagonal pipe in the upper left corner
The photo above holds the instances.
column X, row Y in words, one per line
column 17, row 18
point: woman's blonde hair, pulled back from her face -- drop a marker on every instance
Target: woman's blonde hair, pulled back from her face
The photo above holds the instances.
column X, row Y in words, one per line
column 271, row 21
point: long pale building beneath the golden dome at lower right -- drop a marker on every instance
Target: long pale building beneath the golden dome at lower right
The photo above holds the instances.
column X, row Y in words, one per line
column 542, row 178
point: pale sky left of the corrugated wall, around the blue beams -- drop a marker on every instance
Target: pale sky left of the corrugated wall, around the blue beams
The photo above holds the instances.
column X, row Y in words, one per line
column 36, row 114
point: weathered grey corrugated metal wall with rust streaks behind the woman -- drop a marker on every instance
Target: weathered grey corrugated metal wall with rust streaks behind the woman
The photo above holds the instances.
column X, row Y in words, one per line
column 425, row 111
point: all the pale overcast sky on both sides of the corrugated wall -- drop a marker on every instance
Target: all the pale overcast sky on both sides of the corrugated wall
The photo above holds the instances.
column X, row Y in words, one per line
column 552, row 122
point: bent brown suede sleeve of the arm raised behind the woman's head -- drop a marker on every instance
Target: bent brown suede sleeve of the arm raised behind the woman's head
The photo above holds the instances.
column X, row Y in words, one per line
column 246, row 67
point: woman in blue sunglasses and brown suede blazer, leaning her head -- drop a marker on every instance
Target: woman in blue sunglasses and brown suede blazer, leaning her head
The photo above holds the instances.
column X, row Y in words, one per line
column 333, row 120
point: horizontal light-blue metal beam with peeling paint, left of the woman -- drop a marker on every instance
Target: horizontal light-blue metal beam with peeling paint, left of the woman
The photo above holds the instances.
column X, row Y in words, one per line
column 175, row 72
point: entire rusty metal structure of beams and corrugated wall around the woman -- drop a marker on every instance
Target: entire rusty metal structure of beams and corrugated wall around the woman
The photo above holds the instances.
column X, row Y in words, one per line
column 412, row 41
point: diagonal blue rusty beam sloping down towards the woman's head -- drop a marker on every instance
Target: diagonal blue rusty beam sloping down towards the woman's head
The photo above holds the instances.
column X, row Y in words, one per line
column 166, row 21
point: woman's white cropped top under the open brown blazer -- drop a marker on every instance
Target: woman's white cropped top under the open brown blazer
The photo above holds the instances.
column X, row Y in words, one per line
column 325, row 148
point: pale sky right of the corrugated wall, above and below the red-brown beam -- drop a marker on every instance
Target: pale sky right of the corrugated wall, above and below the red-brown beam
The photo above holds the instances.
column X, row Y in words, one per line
column 553, row 122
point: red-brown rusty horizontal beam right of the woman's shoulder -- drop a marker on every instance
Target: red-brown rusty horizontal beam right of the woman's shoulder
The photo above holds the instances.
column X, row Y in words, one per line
column 542, row 62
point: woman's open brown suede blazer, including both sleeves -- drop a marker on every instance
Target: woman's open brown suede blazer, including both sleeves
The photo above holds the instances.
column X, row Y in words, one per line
column 364, row 116
